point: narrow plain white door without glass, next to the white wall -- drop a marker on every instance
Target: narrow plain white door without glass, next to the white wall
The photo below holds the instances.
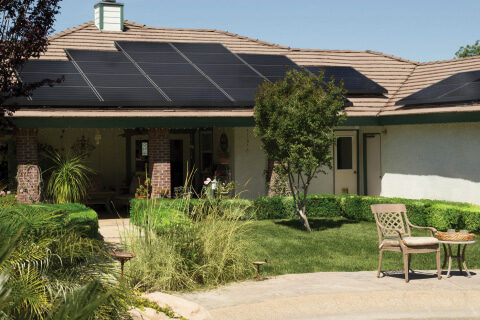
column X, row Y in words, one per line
column 374, row 167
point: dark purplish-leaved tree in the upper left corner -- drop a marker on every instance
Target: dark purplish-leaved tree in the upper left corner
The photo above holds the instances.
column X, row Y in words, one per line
column 24, row 29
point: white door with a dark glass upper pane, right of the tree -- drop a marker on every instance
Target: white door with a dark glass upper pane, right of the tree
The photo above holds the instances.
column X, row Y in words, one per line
column 345, row 154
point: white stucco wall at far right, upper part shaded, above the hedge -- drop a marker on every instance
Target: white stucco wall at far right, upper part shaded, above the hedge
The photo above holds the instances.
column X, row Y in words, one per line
column 439, row 161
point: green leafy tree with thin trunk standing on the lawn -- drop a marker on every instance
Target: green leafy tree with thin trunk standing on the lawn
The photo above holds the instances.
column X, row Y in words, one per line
column 295, row 119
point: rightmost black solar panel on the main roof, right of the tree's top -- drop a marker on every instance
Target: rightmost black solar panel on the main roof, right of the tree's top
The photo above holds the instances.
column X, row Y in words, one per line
column 354, row 81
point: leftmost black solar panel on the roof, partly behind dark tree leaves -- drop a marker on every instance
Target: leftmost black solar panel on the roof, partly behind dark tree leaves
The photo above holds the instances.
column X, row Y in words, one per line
column 73, row 87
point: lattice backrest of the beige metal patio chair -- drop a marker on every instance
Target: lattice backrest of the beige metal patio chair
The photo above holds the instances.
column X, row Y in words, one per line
column 390, row 217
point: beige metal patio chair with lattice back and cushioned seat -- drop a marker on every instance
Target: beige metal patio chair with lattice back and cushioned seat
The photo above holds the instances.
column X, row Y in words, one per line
column 394, row 234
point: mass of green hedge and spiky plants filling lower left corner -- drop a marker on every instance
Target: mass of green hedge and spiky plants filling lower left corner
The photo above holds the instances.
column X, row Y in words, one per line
column 52, row 265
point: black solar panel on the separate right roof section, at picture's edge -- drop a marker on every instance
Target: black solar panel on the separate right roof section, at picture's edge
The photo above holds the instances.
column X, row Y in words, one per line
column 461, row 87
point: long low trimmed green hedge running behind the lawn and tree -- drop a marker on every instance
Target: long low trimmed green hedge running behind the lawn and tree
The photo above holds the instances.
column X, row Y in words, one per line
column 441, row 215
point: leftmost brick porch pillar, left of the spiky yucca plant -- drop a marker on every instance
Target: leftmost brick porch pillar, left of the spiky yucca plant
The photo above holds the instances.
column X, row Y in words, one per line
column 28, row 171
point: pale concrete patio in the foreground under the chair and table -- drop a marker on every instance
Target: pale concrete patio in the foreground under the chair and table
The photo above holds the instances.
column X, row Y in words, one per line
column 345, row 295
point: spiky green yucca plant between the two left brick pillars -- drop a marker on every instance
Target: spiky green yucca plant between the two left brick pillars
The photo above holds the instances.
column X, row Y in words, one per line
column 69, row 178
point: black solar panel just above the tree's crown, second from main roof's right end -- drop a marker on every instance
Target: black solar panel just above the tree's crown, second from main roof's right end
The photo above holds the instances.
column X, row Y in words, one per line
column 273, row 67
